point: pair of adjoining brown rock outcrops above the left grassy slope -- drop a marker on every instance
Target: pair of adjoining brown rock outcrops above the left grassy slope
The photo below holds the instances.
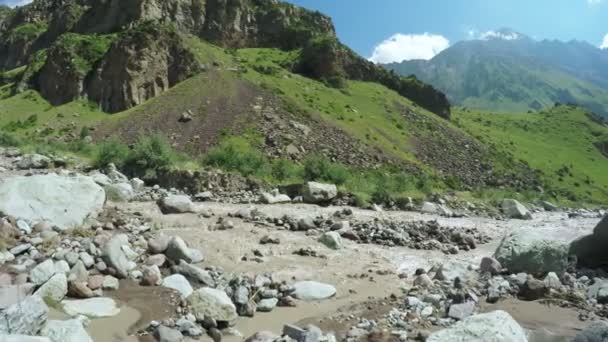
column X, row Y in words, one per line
column 117, row 74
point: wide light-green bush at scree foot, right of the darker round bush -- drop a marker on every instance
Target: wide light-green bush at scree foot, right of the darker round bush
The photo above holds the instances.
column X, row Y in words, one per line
column 236, row 154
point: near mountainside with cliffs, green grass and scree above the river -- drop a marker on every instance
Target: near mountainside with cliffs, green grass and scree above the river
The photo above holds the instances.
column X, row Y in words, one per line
column 259, row 87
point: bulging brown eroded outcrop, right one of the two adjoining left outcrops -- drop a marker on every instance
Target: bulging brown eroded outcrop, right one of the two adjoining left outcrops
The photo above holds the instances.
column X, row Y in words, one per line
column 147, row 61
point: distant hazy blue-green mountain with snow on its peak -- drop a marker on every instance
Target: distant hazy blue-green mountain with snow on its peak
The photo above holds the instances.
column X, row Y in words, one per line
column 508, row 71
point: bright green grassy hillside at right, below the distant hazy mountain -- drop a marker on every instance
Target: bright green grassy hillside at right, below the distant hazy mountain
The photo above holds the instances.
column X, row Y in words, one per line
column 549, row 141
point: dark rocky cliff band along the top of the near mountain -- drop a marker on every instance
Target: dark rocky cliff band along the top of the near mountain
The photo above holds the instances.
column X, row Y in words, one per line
column 142, row 63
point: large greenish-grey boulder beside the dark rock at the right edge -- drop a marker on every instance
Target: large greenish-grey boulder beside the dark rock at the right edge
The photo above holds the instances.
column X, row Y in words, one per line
column 530, row 251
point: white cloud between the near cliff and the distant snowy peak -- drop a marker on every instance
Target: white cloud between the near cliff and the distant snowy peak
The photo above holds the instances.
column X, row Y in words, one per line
column 400, row 47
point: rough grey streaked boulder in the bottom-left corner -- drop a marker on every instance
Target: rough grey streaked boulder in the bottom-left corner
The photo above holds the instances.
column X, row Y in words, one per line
column 26, row 317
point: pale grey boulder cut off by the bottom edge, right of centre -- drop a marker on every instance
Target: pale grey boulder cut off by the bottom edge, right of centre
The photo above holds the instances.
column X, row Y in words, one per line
column 496, row 326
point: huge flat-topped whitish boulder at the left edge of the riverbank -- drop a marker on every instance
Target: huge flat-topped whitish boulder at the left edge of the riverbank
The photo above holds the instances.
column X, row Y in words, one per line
column 62, row 201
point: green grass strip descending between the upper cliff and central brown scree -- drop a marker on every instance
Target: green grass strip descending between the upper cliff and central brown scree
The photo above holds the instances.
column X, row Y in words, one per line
column 367, row 111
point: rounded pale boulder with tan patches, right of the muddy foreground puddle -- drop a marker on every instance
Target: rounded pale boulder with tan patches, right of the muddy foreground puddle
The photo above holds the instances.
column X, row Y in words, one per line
column 212, row 304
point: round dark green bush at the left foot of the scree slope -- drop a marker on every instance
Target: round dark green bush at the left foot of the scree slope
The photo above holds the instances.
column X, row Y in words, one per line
column 150, row 155
